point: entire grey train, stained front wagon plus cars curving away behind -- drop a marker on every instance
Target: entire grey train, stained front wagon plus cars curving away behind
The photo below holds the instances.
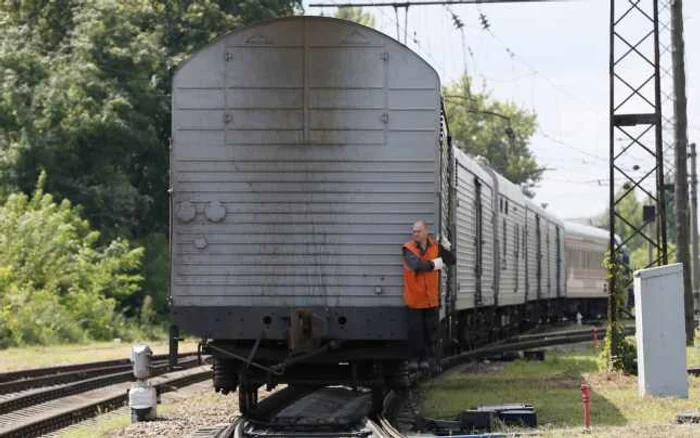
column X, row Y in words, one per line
column 303, row 149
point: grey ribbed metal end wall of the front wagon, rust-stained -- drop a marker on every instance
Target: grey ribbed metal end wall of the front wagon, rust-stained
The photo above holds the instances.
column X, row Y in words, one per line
column 298, row 182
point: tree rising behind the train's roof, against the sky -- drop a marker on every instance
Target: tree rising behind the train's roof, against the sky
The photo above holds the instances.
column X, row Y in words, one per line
column 498, row 131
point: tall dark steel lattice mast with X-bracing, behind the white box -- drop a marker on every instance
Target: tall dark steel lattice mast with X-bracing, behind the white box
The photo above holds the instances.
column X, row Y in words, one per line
column 635, row 119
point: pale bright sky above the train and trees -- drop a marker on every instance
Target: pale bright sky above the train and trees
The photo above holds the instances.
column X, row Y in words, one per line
column 550, row 58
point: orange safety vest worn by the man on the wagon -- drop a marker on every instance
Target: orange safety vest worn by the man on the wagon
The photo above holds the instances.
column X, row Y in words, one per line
column 420, row 289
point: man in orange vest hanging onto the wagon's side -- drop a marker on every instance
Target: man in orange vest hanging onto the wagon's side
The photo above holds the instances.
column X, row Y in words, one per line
column 423, row 258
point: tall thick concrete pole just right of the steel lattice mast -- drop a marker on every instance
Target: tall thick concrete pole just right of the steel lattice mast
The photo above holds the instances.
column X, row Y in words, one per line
column 681, row 149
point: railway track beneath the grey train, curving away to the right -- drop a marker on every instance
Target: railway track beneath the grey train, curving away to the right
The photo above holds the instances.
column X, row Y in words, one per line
column 343, row 412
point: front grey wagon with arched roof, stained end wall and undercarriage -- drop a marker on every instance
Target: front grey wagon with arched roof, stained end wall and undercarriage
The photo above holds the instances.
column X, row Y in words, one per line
column 303, row 150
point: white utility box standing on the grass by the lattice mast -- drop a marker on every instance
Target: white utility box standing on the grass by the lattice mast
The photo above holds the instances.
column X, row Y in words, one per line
column 660, row 320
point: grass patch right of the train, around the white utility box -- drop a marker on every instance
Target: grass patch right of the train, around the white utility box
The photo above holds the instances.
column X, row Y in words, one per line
column 553, row 388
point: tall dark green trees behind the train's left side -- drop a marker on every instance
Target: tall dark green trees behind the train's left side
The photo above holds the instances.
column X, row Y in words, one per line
column 85, row 94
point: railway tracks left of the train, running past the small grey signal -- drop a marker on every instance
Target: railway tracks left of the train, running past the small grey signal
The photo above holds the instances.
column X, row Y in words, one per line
column 39, row 410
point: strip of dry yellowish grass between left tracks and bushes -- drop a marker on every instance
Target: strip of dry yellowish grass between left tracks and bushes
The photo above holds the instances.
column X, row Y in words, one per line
column 53, row 355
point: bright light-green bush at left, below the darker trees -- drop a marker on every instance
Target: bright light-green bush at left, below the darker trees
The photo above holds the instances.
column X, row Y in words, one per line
column 56, row 283
